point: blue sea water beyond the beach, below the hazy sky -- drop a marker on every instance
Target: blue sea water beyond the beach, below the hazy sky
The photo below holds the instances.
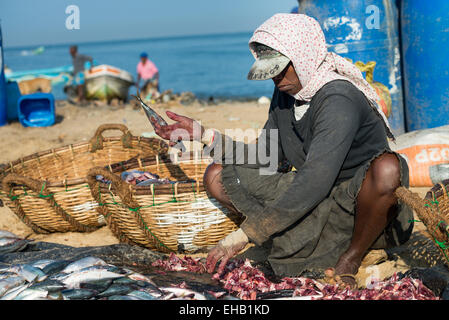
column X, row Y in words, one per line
column 207, row 65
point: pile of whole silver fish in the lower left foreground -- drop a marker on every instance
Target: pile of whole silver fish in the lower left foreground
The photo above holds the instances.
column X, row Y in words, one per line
column 87, row 278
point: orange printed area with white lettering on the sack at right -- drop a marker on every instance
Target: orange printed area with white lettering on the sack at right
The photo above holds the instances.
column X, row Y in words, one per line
column 422, row 161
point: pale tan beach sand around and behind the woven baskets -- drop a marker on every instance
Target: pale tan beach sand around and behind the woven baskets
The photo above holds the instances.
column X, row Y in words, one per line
column 78, row 124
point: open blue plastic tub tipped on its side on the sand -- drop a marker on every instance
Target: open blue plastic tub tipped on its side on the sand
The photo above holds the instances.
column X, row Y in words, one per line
column 36, row 110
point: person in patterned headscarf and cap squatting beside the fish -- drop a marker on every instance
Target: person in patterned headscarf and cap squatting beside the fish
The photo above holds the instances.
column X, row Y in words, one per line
column 340, row 201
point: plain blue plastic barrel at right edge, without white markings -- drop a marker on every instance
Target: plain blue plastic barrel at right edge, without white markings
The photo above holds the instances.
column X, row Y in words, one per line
column 425, row 50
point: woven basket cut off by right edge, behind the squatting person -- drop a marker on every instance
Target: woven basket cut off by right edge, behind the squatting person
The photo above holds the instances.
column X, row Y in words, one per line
column 433, row 211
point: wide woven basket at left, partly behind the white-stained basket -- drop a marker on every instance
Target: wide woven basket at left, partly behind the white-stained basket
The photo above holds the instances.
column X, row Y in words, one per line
column 48, row 190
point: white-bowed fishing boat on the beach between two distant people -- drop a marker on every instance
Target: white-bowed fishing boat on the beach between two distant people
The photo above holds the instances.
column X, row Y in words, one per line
column 105, row 82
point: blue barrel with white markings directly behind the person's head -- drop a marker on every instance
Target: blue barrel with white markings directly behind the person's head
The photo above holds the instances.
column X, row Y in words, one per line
column 365, row 30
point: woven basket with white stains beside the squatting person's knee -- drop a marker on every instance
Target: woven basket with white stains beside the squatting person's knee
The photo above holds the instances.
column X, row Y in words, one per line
column 177, row 217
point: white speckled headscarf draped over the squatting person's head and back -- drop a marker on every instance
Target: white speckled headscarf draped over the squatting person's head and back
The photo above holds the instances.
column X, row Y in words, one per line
column 300, row 38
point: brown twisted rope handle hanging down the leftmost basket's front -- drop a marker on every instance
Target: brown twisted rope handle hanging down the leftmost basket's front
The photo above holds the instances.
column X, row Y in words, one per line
column 40, row 188
